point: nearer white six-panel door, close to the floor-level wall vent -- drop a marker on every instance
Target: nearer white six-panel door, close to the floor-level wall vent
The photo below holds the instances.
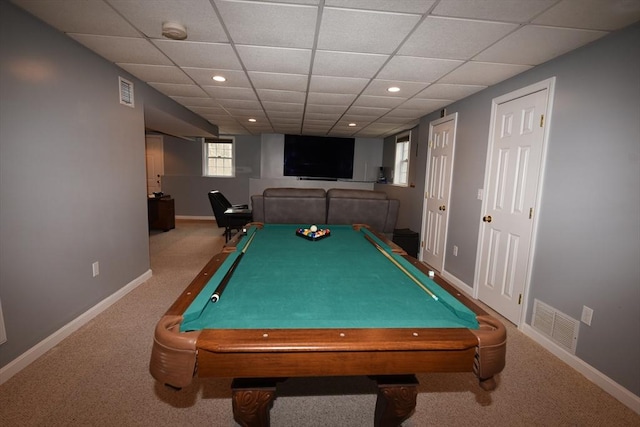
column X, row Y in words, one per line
column 516, row 148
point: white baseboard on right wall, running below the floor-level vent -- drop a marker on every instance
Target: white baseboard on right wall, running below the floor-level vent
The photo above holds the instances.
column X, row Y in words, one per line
column 592, row 374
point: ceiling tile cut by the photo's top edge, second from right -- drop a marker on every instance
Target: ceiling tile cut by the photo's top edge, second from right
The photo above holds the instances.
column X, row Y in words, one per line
column 493, row 10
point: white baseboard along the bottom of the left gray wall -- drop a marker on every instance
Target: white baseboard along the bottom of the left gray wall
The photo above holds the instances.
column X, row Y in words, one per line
column 29, row 356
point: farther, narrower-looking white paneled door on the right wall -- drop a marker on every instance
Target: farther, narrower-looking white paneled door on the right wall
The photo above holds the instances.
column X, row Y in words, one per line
column 442, row 136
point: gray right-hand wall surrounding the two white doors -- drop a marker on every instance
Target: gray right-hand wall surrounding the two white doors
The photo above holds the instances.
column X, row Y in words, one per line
column 588, row 247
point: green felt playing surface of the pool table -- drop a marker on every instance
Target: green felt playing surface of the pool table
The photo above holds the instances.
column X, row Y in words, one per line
column 284, row 281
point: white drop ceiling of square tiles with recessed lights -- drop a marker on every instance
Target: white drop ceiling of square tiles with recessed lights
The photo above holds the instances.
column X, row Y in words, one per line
column 316, row 66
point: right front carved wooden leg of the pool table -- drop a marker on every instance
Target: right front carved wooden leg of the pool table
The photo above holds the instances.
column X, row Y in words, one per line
column 396, row 399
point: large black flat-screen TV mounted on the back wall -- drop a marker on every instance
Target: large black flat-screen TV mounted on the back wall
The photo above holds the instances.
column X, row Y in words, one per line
column 318, row 157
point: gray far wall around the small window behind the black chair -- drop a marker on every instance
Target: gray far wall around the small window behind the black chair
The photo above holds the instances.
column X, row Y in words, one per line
column 183, row 178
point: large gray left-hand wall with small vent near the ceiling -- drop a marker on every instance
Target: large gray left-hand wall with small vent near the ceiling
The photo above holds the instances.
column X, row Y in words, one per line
column 72, row 180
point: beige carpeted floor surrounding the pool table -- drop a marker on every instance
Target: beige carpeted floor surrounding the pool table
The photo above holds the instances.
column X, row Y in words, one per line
column 99, row 375
